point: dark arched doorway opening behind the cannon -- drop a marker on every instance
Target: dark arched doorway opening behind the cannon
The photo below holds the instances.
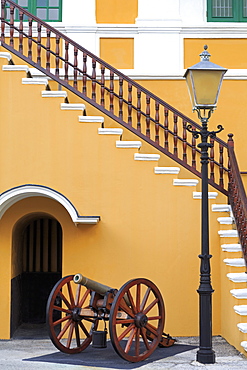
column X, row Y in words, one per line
column 37, row 265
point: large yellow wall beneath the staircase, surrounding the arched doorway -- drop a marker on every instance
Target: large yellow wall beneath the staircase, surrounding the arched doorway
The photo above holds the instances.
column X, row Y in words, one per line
column 148, row 227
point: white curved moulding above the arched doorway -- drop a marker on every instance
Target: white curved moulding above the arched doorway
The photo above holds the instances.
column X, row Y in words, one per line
column 11, row 196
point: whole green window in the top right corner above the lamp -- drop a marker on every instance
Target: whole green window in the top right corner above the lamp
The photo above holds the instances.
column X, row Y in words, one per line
column 227, row 10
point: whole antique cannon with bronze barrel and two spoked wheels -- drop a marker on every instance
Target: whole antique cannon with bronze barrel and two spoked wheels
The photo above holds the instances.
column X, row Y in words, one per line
column 77, row 306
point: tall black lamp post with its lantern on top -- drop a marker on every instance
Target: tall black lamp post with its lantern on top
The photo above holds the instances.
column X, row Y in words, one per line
column 204, row 81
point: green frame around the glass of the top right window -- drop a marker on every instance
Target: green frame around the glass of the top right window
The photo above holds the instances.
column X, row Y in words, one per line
column 237, row 13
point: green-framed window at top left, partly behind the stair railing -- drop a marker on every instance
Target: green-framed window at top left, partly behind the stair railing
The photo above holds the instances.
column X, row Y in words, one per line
column 47, row 10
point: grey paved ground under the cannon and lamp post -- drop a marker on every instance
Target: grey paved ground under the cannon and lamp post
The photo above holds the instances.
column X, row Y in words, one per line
column 30, row 354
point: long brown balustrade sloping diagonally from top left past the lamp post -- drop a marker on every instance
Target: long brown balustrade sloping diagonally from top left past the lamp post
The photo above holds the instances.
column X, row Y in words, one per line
column 109, row 90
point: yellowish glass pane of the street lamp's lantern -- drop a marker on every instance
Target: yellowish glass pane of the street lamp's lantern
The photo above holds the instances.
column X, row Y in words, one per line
column 206, row 85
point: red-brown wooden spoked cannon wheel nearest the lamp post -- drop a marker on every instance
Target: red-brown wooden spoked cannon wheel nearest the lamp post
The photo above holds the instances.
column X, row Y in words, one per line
column 137, row 320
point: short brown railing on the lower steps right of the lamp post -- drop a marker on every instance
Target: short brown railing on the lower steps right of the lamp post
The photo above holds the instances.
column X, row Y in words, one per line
column 237, row 197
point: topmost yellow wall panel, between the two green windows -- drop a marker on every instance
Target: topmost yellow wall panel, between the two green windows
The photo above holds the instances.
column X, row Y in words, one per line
column 116, row 11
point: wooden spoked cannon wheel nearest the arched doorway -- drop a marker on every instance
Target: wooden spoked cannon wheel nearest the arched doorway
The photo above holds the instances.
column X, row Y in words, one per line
column 69, row 332
